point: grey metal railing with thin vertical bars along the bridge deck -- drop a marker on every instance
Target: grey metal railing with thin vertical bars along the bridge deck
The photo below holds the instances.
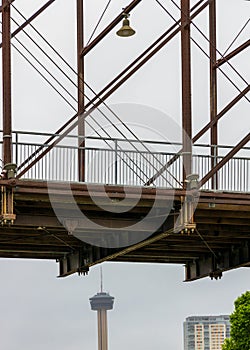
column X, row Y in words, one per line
column 126, row 162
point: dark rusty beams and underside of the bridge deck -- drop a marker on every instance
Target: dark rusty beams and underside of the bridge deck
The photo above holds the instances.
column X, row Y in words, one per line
column 220, row 242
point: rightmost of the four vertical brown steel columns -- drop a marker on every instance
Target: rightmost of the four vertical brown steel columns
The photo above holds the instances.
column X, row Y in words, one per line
column 213, row 89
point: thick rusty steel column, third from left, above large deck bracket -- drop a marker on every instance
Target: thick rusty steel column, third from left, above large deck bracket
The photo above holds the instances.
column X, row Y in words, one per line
column 186, row 89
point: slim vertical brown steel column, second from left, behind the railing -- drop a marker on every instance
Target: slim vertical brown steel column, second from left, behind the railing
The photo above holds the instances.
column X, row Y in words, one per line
column 80, row 70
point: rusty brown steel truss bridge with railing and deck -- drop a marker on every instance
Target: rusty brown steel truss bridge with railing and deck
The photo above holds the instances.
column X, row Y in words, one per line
column 83, row 200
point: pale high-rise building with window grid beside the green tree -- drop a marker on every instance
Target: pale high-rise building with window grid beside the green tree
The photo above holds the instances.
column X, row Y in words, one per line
column 206, row 332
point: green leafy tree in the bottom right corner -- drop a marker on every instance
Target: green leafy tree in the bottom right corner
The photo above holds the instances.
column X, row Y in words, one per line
column 240, row 325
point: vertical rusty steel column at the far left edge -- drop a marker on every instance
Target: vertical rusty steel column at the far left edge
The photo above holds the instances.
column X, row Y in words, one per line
column 6, row 64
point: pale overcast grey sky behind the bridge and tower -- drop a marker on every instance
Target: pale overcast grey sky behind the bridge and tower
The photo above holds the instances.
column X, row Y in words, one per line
column 151, row 301
